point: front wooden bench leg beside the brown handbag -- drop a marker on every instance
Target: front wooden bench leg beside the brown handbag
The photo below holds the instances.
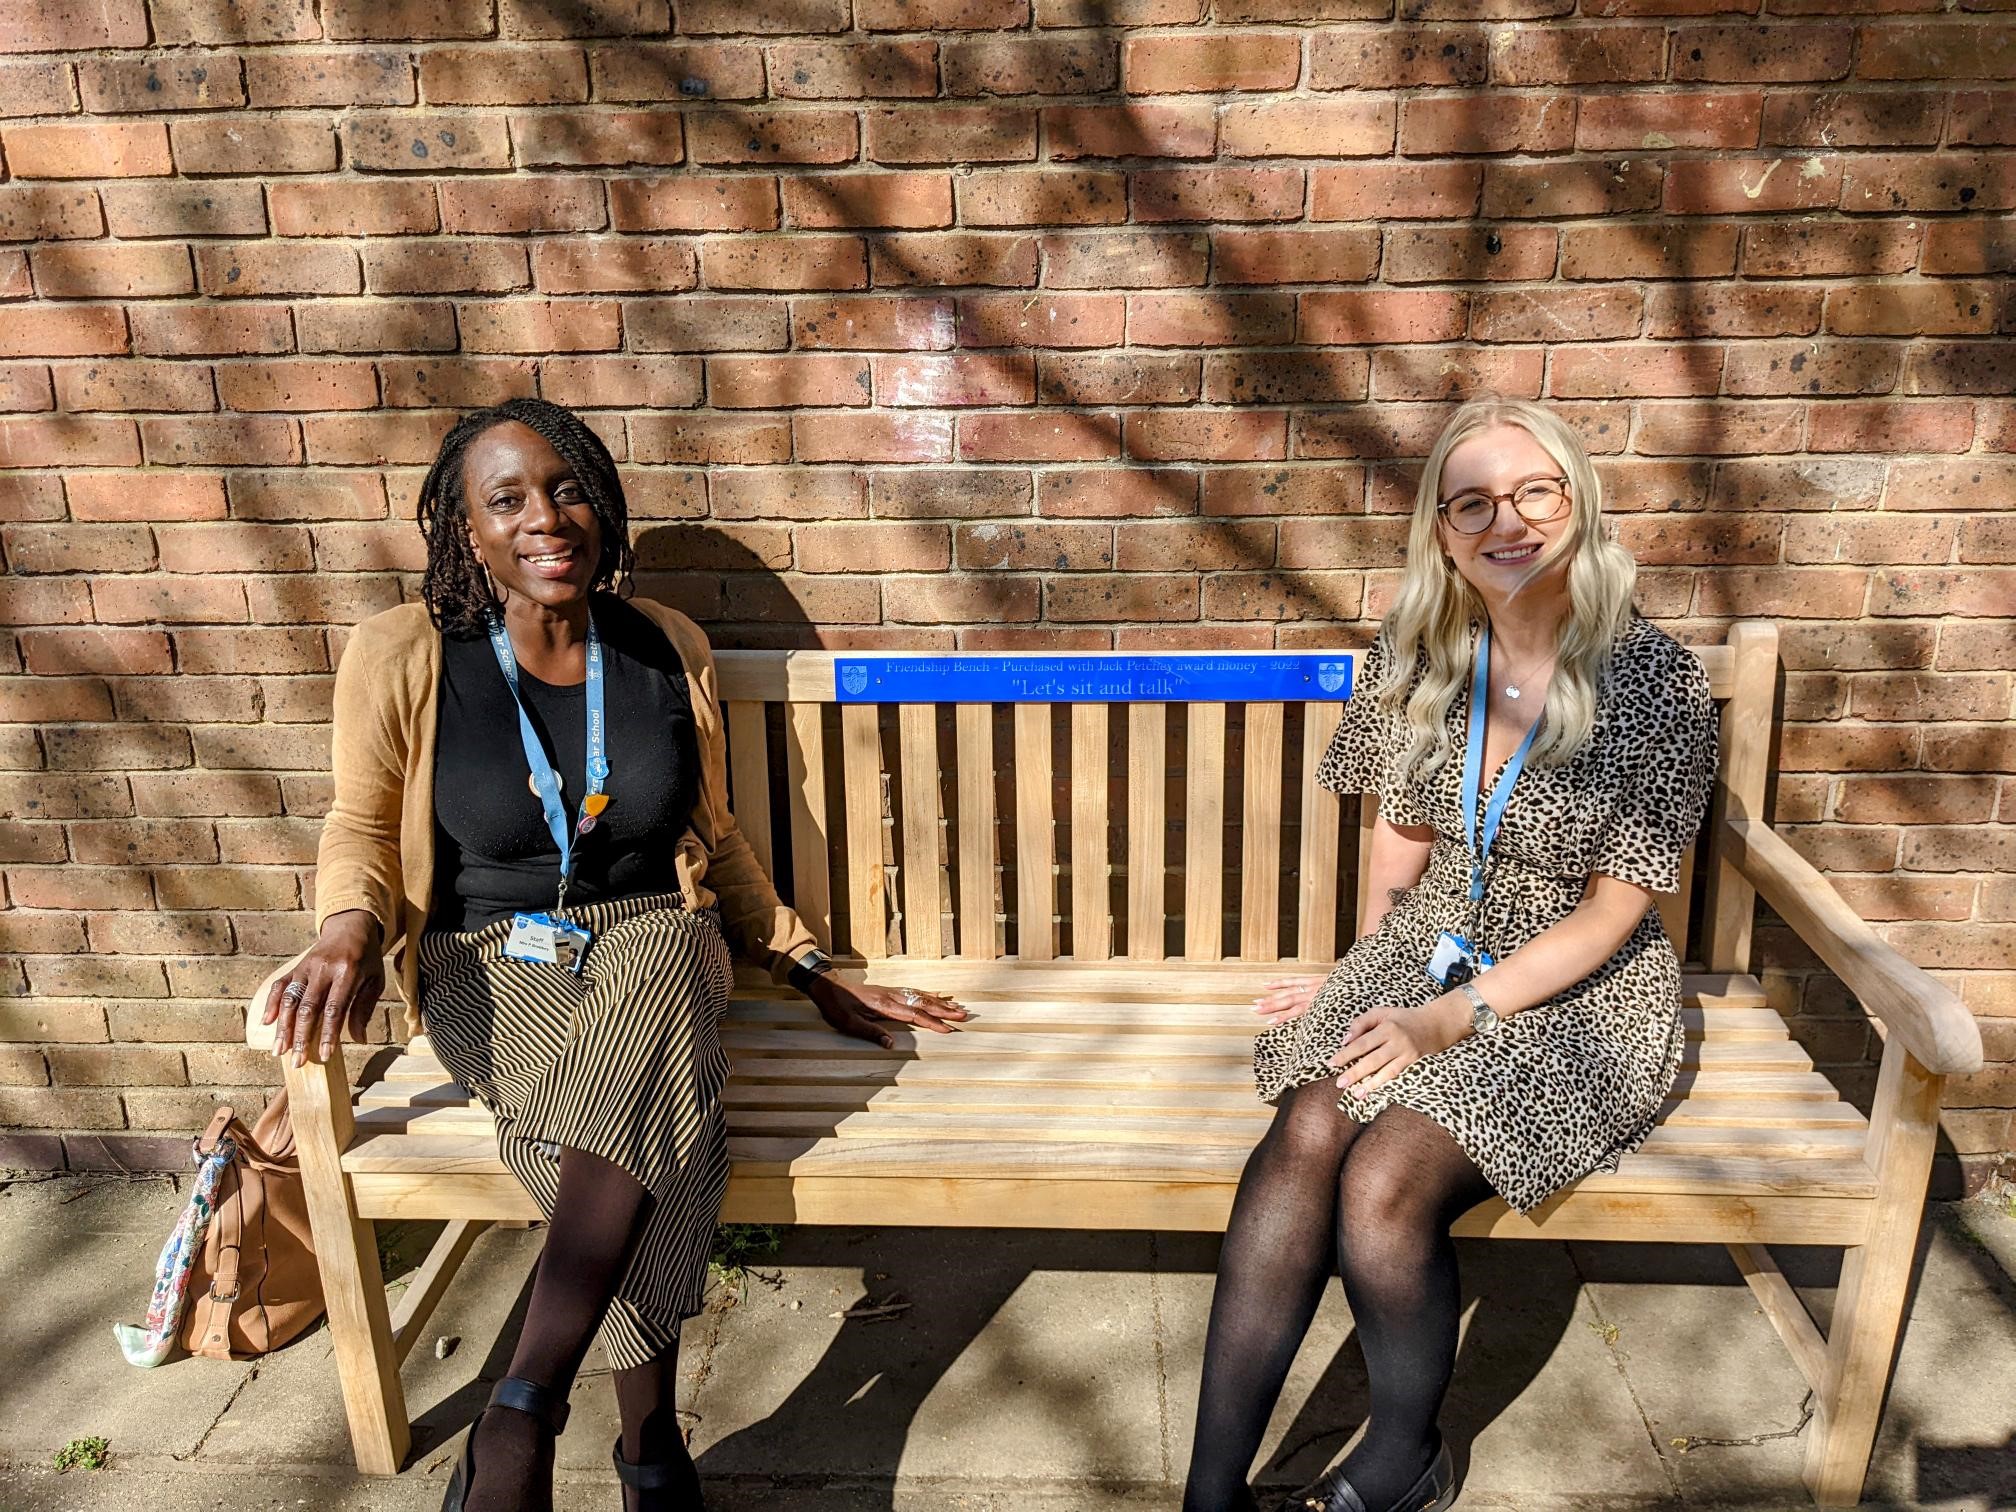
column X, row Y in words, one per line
column 346, row 1253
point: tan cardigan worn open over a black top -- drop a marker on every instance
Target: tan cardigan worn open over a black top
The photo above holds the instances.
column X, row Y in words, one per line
column 378, row 842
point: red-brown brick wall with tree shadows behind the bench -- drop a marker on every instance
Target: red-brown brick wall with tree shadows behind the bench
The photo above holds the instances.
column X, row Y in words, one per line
column 987, row 324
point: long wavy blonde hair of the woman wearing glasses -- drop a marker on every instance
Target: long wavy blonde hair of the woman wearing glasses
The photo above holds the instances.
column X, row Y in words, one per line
column 1436, row 608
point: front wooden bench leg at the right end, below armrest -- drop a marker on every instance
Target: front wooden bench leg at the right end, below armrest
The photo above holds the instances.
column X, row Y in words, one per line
column 1876, row 1279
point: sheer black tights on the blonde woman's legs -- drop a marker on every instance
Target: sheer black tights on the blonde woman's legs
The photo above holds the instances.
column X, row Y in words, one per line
column 1372, row 1203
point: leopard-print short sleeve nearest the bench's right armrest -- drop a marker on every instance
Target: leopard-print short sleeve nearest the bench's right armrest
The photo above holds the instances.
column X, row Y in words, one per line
column 1668, row 775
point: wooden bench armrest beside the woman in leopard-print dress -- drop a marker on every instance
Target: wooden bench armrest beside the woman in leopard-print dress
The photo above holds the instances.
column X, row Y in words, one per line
column 1930, row 1021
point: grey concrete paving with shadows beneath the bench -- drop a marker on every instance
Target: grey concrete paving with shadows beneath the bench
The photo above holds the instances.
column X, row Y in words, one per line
column 1031, row 1372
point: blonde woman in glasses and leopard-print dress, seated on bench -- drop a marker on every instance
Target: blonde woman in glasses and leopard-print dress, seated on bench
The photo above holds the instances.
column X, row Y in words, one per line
column 1509, row 1021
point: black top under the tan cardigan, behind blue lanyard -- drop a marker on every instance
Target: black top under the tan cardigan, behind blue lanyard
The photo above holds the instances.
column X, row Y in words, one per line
column 493, row 850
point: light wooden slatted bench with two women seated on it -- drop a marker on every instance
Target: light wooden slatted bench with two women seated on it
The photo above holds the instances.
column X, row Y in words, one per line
column 1108, row 886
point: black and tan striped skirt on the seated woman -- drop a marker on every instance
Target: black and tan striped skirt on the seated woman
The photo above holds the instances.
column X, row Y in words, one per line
column 624, row 1061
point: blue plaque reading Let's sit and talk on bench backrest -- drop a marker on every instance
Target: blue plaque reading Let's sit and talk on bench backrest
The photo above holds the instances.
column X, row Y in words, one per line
column 1096, row 678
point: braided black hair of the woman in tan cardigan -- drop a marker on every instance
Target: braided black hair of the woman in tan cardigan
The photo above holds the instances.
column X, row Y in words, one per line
column 455, row 586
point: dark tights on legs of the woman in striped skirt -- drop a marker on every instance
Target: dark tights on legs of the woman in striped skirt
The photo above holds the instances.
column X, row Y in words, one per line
column 598, row 1217
